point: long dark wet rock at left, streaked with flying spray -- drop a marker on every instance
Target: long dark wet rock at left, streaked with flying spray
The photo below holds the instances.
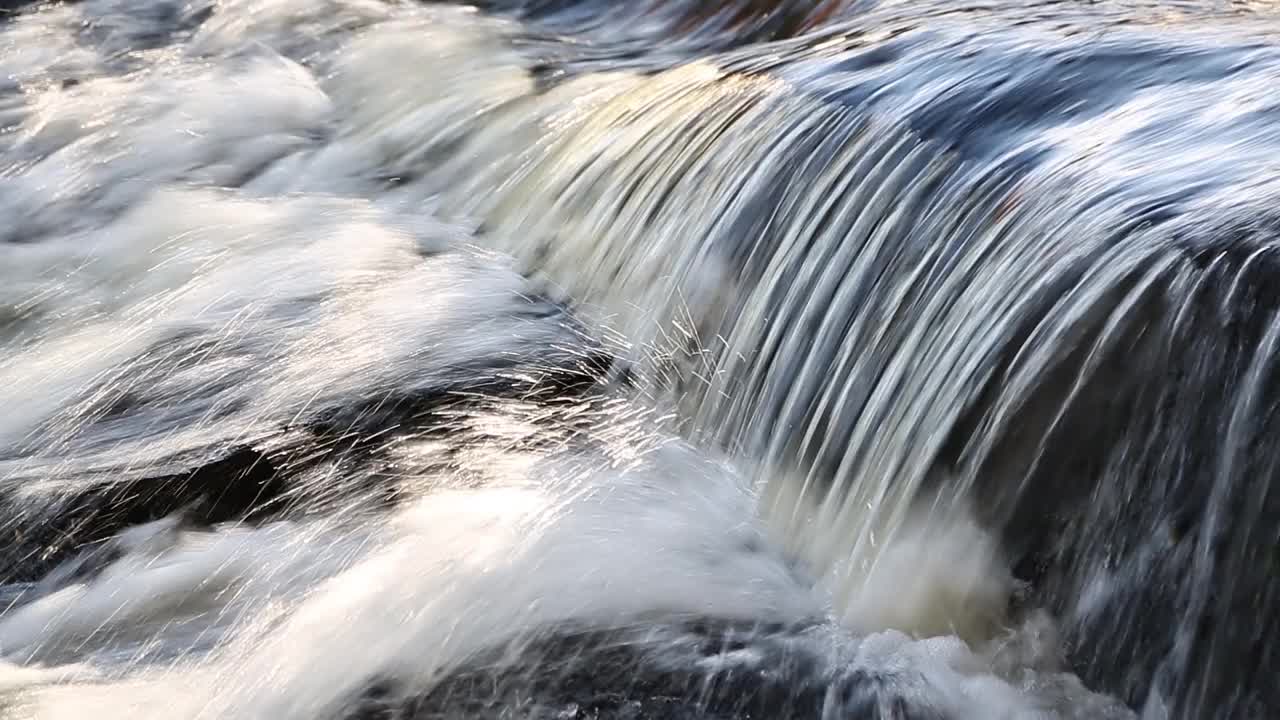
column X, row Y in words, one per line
column 291, row 470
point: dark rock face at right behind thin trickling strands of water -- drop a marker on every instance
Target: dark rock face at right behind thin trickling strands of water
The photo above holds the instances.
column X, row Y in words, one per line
column 1142, row 504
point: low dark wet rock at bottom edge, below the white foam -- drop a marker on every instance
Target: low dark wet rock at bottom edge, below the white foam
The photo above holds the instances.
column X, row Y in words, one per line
column 710, row 671
